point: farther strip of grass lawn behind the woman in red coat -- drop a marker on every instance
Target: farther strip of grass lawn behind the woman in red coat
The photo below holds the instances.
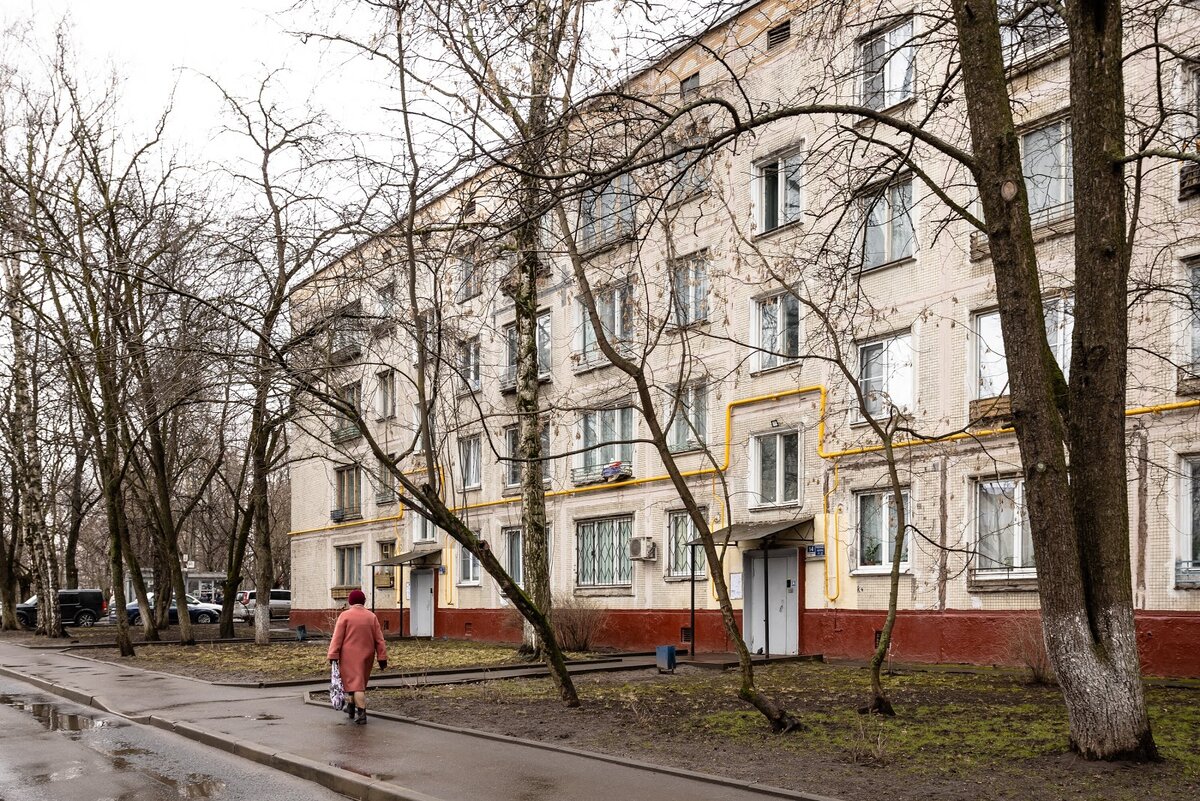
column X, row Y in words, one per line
column 290, row 660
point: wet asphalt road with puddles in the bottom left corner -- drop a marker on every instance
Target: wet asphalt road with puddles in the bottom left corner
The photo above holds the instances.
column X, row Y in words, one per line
column 53, row 750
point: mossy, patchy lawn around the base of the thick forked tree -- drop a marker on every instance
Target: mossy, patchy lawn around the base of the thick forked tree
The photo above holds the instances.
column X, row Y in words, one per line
column 987, row 736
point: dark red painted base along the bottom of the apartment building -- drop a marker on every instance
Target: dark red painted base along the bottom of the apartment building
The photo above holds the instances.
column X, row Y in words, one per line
column 1168, row 641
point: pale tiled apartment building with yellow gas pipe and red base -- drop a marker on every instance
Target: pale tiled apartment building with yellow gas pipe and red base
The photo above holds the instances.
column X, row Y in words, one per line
column 730, row 290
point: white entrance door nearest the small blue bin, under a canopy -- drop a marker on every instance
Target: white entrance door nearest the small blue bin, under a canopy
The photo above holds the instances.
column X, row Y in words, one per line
column 771, row 616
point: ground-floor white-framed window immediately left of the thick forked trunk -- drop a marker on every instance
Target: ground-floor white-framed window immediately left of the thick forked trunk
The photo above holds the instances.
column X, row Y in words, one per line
column 1003, row 527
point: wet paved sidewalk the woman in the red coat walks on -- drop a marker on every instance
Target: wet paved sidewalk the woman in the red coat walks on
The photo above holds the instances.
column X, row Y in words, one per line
column 386, row 760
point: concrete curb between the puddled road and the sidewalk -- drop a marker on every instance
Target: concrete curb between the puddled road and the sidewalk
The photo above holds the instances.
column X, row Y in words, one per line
column 339, row 780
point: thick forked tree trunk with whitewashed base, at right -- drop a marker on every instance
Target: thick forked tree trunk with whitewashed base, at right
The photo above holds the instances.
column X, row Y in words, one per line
column 1081, row 525
